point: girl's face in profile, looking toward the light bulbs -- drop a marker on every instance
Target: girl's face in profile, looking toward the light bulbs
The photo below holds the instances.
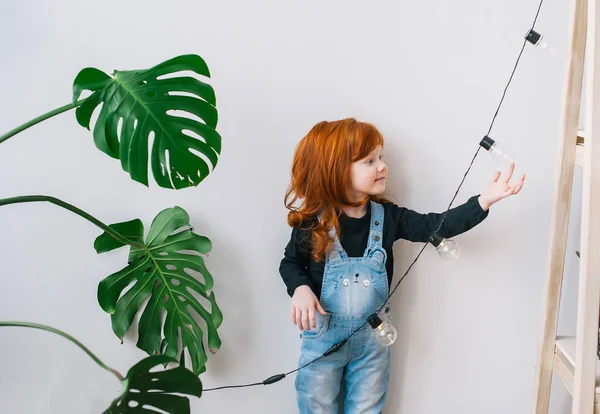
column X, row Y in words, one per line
column 368, row 176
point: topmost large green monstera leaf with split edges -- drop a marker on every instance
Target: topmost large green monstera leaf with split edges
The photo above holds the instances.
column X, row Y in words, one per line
column 140, row 100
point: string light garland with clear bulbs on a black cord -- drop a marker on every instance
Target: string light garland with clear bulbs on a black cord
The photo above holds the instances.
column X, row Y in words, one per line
column 501, row 153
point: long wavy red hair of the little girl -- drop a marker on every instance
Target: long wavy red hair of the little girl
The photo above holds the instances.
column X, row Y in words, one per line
column 321, row 175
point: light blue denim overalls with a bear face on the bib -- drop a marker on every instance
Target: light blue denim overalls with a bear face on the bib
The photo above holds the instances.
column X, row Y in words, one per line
column 353, row 288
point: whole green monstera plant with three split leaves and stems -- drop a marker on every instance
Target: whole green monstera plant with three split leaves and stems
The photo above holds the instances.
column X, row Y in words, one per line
column 174, row 114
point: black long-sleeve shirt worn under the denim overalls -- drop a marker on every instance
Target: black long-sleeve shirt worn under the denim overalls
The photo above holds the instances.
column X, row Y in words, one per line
column 299, row 268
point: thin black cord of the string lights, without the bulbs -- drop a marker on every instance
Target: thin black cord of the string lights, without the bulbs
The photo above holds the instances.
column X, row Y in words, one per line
column 336, row 347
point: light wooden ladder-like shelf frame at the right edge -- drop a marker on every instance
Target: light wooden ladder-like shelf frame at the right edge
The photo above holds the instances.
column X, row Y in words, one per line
column 575, row 359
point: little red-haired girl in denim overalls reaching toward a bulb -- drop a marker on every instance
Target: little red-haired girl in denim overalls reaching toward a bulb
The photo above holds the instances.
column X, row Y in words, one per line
column 338, row 264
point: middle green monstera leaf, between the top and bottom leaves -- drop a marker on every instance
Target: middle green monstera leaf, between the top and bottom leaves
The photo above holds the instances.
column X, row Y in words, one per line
column 163, row 272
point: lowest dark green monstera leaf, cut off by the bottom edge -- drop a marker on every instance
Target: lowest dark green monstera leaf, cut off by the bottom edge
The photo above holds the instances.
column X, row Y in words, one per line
column 152, row 392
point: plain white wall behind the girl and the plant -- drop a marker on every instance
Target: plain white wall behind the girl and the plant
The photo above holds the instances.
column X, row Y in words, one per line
column 429, row 74
